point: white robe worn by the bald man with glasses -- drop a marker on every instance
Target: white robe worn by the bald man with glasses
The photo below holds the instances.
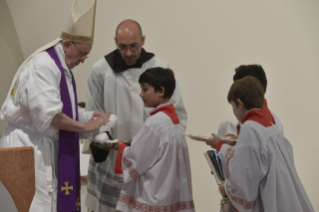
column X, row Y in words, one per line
column 118, row 93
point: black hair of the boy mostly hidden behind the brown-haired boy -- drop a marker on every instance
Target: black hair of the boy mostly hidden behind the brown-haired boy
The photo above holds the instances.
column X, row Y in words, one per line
column 251, row 70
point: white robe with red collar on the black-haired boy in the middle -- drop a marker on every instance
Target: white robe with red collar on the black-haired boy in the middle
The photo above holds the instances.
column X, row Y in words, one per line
column 156, row 169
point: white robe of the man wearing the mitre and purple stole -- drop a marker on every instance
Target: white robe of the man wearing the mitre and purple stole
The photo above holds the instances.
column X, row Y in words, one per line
column 28, row 116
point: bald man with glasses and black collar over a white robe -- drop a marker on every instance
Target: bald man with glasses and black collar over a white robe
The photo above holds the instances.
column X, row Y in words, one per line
column 113, row 87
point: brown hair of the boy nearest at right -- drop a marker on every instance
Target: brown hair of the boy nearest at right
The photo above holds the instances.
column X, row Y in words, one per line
column 249, row 91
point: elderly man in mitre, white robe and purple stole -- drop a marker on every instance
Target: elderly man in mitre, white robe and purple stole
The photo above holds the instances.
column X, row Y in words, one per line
column 41, row 111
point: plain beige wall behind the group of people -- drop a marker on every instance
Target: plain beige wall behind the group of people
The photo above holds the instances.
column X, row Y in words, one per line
column 204, row 41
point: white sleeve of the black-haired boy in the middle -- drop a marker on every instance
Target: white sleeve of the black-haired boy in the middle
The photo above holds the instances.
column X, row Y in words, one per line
column 139, row 157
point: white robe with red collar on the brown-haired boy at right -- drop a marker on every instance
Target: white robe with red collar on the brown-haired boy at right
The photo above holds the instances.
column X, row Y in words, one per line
column 259, row 169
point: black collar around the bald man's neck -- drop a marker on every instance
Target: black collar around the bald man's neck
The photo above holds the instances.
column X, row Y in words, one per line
column 118, row 64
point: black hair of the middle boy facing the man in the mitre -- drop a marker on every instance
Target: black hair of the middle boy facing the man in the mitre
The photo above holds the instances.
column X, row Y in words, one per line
column 158, row 77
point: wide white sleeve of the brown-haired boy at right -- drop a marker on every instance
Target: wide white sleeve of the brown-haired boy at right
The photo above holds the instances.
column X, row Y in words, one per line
column 246, row 165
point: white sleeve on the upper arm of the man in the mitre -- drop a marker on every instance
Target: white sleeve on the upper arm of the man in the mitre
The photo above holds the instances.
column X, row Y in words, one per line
column 40, row 93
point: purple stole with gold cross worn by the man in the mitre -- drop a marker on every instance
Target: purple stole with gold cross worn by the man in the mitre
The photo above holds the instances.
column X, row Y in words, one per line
column 69, row 184
